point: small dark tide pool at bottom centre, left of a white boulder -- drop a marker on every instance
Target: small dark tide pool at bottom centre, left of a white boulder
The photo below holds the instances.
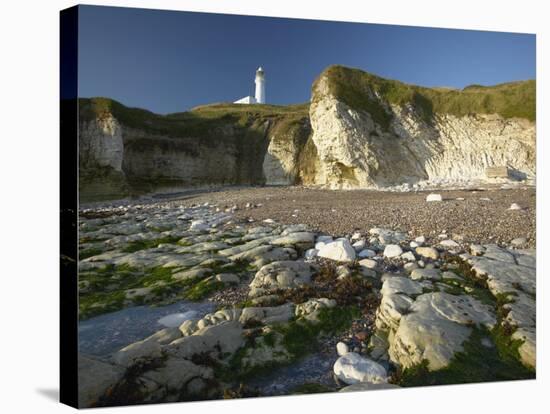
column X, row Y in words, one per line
column 315, row 368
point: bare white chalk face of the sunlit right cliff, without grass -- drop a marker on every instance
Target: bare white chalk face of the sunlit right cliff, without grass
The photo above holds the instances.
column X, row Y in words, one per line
column 355, row 151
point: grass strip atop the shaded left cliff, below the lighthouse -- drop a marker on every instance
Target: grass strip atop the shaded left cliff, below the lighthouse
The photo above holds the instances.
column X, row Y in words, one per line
column 201, row 122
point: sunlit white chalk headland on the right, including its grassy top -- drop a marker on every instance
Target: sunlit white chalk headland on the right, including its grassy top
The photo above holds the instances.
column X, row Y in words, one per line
column 370, row 132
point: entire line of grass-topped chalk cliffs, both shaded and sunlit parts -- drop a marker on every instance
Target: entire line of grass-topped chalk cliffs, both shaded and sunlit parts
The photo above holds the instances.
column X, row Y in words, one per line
column 360, row 131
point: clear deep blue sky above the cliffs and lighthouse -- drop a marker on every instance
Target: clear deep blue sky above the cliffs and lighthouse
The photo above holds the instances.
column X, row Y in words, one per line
column 168, row 61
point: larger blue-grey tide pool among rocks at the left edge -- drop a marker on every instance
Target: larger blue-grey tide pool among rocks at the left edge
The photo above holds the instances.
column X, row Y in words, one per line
column 105, row 334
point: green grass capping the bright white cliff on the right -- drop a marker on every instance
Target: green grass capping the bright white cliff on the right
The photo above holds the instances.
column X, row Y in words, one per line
column 364, row 91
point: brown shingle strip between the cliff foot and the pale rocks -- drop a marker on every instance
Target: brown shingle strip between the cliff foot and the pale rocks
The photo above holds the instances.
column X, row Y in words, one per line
column 482, row 217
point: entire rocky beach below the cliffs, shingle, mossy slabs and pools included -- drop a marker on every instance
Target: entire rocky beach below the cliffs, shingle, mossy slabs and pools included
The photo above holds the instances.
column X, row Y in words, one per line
column 270, row 291
